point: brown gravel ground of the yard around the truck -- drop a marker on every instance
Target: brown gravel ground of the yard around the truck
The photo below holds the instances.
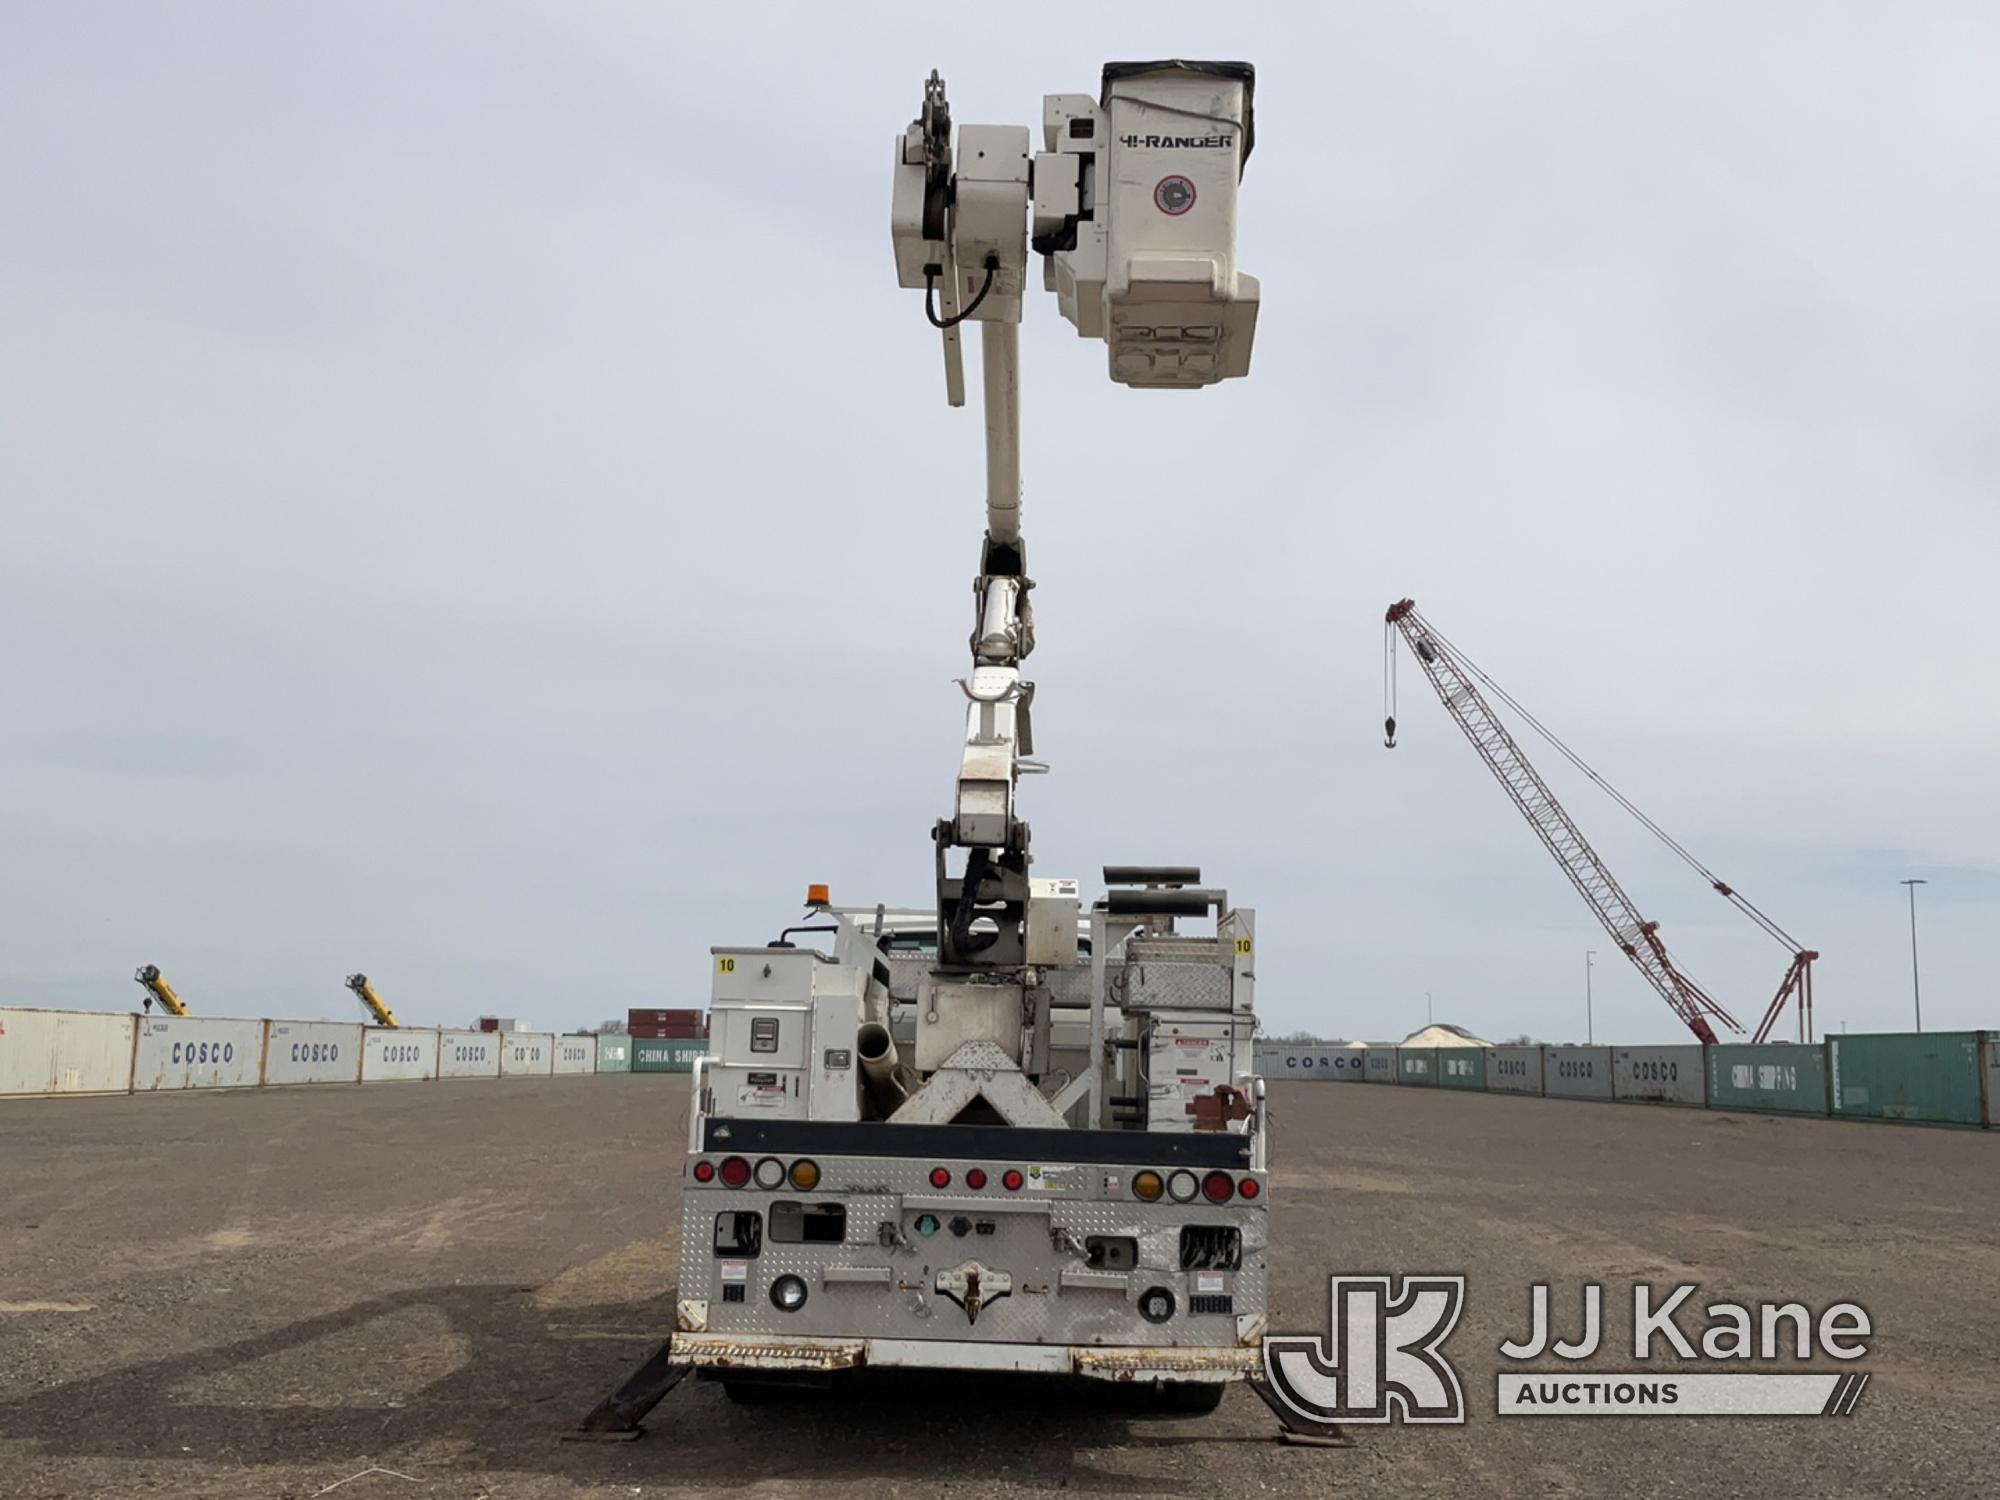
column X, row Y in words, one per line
column 273, row 1293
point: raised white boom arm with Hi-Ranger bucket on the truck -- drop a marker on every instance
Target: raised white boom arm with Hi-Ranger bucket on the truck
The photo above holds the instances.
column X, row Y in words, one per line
column 1135, row 219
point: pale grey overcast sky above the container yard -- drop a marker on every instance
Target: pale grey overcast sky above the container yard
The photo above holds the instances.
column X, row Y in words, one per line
column 475, row 505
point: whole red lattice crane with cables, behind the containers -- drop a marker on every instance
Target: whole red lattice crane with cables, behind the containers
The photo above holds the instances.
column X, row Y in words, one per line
column 1457, row 683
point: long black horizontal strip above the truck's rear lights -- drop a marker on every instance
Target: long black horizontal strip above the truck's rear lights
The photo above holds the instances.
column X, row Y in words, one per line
column 1201, row 1149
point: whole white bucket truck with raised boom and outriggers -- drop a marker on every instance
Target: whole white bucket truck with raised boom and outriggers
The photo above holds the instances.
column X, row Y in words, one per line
column 1017, row 1131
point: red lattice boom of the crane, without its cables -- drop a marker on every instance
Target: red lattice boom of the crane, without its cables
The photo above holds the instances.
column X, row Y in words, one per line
column 1637, row 937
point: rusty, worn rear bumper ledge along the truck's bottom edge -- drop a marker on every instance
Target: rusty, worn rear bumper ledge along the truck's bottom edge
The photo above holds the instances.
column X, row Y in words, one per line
column 1093, row 1361
